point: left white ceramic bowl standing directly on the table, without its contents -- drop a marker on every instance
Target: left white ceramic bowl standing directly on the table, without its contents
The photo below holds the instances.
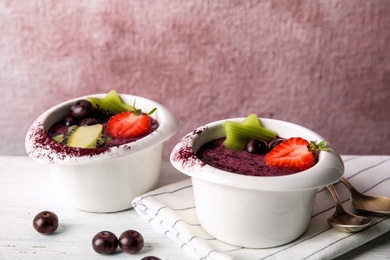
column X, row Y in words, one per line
column 106, row 181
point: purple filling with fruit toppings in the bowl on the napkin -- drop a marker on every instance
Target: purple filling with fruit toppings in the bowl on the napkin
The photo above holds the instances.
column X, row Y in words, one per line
column 248, row 148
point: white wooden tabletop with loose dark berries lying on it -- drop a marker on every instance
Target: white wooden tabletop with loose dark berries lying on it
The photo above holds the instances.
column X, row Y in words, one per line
column 25, row 191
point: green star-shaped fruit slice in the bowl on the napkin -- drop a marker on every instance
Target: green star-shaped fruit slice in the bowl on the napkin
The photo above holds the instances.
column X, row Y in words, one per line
column 238, row 134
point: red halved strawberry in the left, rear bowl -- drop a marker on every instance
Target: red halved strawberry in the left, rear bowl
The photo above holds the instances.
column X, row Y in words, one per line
column 128, row 124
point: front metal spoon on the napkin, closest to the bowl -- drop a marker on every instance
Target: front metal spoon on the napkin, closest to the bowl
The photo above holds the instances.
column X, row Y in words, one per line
column 344, row 221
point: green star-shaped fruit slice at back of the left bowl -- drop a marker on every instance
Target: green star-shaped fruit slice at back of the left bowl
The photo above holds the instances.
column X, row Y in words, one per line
column 111, row 102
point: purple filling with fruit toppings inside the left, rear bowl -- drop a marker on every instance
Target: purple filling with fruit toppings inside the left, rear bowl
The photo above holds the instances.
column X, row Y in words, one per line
column 102, row 123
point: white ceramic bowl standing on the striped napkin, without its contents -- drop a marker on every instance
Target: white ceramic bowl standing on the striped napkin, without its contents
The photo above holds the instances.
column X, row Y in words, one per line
column 254, row 211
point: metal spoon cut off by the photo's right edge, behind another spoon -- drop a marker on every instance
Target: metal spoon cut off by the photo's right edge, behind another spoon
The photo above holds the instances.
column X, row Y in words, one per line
column 368, row 204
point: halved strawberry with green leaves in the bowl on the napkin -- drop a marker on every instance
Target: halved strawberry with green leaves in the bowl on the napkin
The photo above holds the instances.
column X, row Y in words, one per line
column 295, row 153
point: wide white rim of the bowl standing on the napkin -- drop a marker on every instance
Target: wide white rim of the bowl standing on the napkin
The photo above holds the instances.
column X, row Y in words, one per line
column 328, row 169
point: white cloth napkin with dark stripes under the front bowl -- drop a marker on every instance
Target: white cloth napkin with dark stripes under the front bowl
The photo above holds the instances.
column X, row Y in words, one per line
column 172, row 209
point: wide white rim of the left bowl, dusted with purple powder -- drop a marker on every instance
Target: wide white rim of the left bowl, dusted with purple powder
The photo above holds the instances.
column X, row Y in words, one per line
column 168, row 126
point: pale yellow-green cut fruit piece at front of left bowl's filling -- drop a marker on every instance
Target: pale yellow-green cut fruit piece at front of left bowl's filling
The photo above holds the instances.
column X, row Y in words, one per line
column 85, row 136
